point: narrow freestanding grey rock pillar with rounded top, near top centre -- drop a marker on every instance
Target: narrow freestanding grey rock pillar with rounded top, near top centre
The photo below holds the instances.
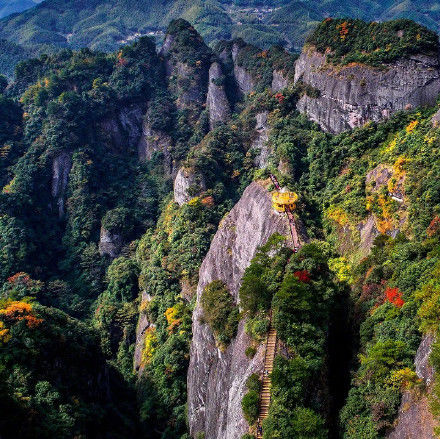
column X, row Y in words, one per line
column 217, row 101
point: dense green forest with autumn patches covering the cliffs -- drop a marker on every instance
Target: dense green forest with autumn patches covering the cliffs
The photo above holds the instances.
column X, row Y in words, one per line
column 68, row 329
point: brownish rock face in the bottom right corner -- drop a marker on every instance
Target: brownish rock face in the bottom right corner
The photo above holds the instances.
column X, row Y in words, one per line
column 415, row 419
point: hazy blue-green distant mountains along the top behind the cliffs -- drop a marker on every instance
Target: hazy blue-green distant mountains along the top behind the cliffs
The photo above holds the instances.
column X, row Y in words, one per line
column 106, row 24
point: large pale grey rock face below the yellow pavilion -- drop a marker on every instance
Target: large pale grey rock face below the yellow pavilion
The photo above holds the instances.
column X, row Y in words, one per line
column 216, row 379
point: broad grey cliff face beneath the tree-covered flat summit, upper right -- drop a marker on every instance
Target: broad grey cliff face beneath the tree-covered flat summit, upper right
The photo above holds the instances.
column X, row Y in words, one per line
column 352, row 95
